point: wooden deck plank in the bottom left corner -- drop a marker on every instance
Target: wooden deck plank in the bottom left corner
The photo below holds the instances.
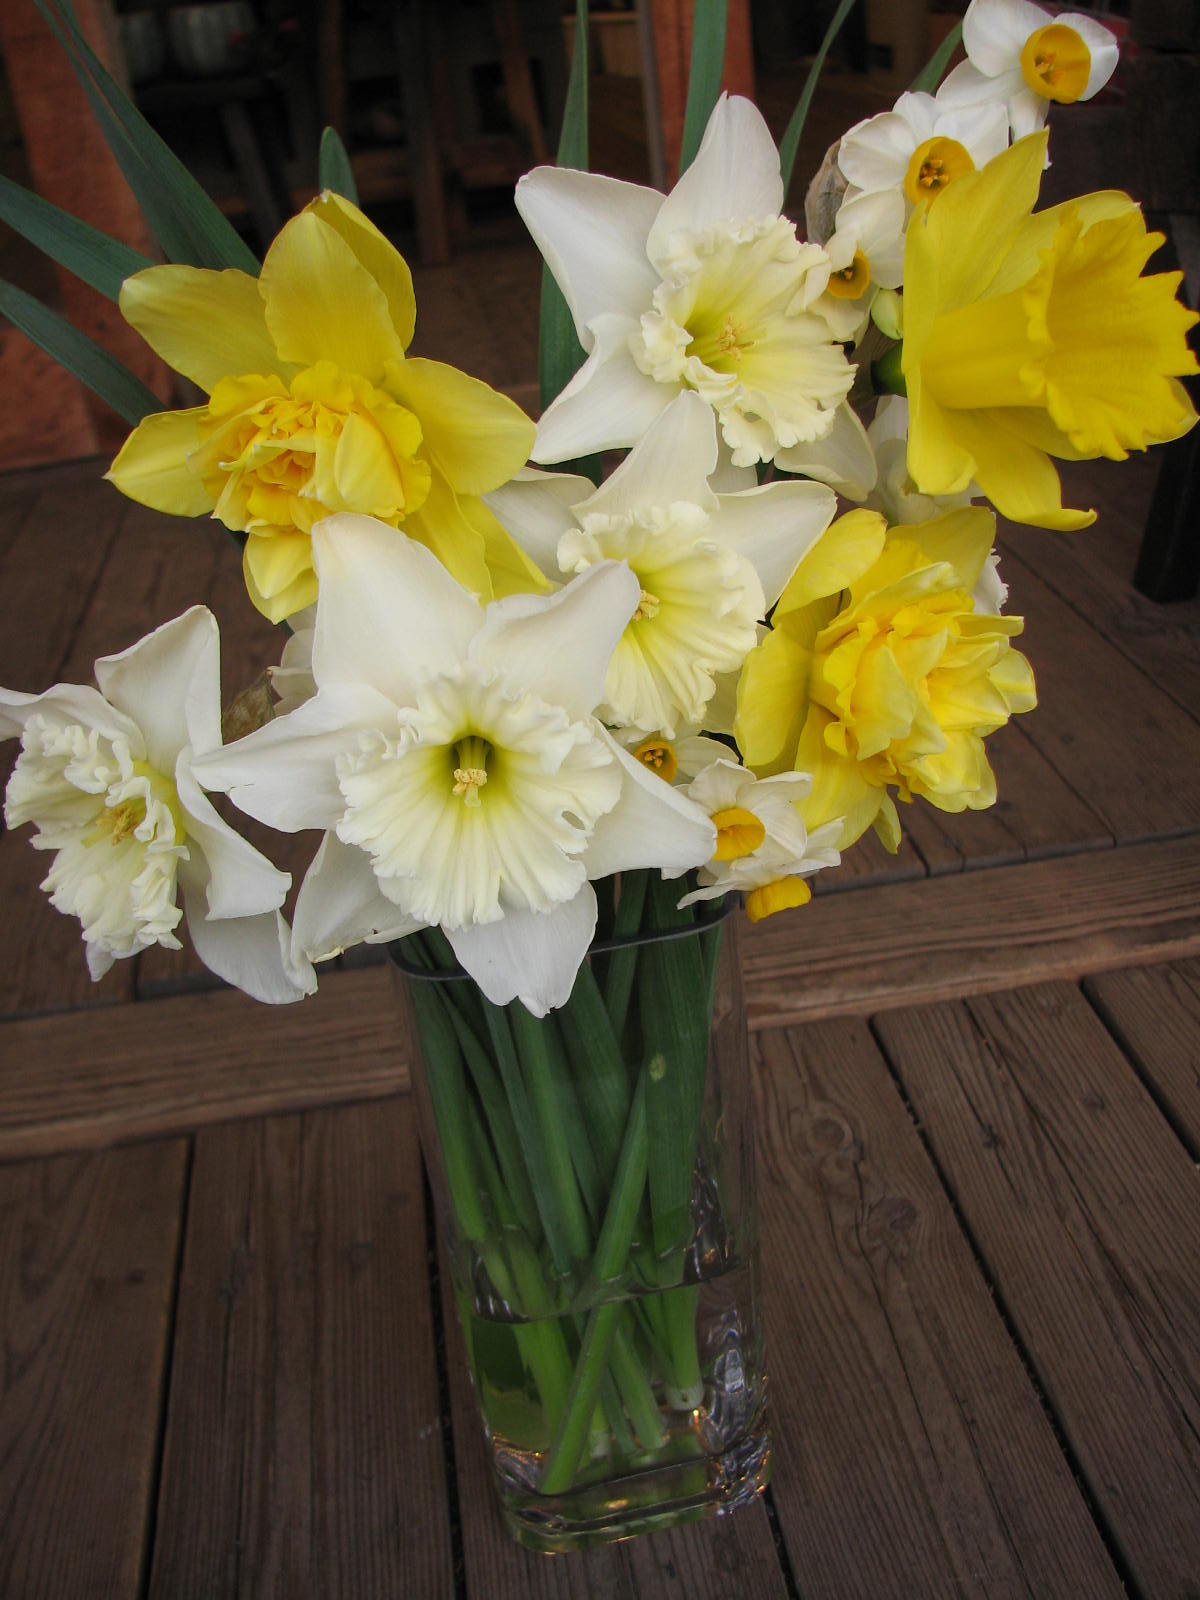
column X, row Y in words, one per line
column 87, row 1274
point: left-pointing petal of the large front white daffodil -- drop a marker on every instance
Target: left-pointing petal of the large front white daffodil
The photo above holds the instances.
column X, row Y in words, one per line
column 284, row 774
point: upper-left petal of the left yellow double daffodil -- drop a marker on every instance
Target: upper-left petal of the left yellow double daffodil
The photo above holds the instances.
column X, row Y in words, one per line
column 207, row 326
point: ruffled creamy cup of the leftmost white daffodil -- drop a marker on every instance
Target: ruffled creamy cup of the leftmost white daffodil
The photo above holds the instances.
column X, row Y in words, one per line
column 118, row 833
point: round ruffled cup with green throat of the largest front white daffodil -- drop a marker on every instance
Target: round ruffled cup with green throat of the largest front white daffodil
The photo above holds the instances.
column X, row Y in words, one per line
column 479, row 801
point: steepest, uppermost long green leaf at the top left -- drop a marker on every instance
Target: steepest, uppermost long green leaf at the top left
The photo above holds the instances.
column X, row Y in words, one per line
column 185, row 220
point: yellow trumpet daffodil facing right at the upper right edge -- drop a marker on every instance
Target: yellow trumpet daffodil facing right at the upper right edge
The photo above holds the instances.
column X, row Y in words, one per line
column 1034, row 337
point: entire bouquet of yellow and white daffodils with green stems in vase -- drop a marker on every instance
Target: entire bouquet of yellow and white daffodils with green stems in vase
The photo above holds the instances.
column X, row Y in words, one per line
column 511, row 682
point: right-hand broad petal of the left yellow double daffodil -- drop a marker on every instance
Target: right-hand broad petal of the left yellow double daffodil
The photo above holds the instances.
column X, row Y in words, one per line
column 478, row 438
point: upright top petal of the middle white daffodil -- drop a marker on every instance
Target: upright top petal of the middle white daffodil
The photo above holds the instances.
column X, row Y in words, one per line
column 670, row 463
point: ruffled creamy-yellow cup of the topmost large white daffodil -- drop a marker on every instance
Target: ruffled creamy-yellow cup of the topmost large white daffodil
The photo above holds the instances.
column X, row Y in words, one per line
column 730, row 321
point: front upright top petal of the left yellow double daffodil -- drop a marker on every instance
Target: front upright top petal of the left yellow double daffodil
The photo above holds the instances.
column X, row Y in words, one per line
column 324, row 305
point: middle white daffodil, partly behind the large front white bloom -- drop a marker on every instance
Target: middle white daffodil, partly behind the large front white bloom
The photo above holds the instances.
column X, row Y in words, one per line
column 710, row 566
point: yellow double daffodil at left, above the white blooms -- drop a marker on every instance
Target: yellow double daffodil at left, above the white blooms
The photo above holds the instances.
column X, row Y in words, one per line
column 314, row 409
